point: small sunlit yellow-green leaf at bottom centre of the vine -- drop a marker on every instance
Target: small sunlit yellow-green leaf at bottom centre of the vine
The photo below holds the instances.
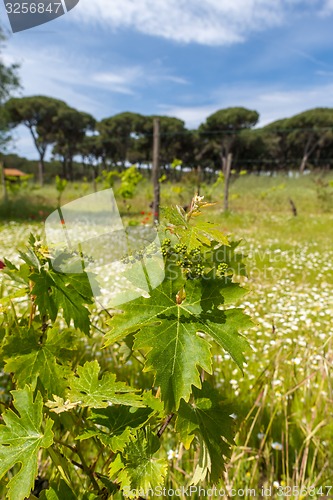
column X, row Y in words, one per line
column 137, row 468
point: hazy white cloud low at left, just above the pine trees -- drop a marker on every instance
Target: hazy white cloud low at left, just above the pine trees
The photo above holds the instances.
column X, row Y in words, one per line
column 76, row 80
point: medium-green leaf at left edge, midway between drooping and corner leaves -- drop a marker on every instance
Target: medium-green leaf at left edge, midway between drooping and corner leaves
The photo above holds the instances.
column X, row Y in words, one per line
column 29, row 360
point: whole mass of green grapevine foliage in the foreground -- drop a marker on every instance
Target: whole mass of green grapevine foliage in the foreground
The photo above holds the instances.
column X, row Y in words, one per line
column 110, row 428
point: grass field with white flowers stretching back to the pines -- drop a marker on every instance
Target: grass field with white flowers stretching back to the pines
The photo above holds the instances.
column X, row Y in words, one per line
column 283, row 404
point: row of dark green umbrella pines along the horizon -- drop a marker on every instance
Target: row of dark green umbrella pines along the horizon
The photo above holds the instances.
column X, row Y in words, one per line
column 82, row 146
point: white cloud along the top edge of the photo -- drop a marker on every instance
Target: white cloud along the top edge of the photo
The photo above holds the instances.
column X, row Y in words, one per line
column 208, row 22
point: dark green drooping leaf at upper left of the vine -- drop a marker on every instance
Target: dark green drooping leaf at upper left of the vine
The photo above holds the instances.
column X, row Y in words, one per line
column 69, row 292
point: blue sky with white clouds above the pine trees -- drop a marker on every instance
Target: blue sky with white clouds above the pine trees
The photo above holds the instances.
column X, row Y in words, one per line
column 182, row 58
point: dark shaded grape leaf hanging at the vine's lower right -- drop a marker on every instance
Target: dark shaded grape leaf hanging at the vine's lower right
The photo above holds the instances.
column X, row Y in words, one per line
column 208, row 419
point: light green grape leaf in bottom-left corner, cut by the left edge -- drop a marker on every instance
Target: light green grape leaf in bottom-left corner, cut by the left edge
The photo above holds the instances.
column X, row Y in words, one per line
column 21, row 438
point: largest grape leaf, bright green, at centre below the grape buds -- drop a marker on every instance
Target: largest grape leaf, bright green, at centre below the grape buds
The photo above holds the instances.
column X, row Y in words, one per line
column 172, row 333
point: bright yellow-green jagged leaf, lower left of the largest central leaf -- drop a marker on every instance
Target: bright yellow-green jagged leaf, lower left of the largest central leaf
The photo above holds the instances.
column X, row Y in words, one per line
column 87, row 389
